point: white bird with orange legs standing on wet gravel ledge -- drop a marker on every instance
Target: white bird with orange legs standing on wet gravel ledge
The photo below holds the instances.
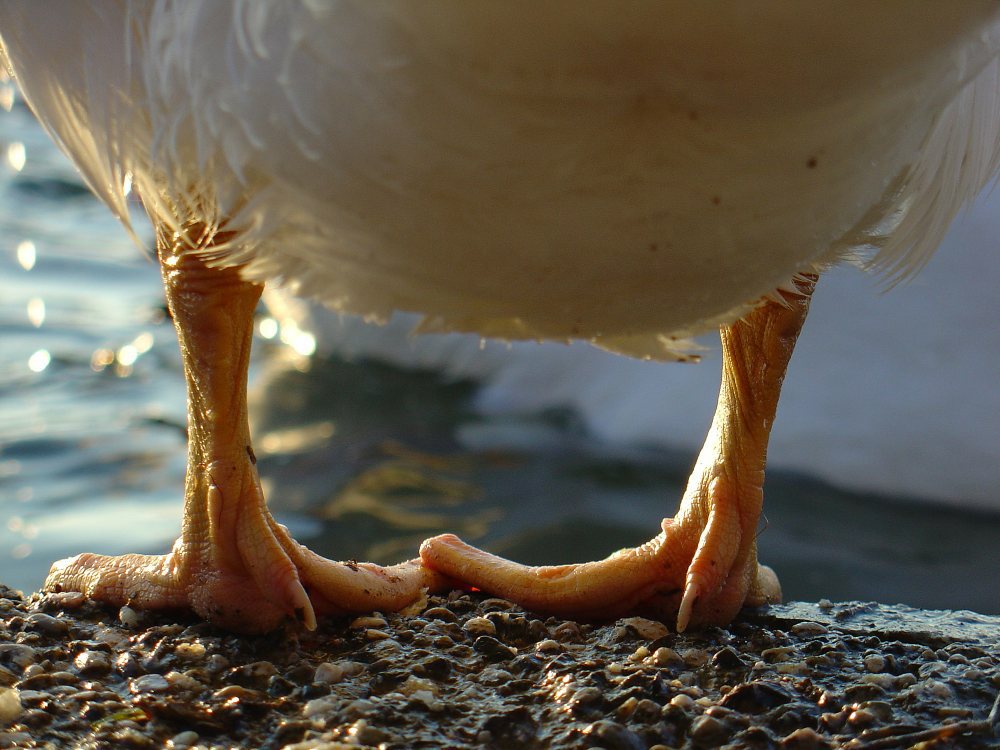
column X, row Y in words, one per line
column 628, row 174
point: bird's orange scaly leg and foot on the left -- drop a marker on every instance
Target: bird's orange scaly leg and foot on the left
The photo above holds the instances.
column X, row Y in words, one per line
column 233, row 564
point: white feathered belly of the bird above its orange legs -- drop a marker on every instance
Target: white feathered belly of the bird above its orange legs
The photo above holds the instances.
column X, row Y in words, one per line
column 623, row 173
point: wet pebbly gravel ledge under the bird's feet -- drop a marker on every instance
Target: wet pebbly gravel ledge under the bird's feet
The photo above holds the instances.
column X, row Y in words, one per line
column 469, row 671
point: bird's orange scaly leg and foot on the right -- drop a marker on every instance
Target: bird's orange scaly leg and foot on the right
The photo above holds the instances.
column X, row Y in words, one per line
column 703, row 567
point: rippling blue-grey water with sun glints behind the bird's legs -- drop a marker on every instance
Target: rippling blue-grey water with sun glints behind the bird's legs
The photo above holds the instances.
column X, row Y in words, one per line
column 361, row 460
